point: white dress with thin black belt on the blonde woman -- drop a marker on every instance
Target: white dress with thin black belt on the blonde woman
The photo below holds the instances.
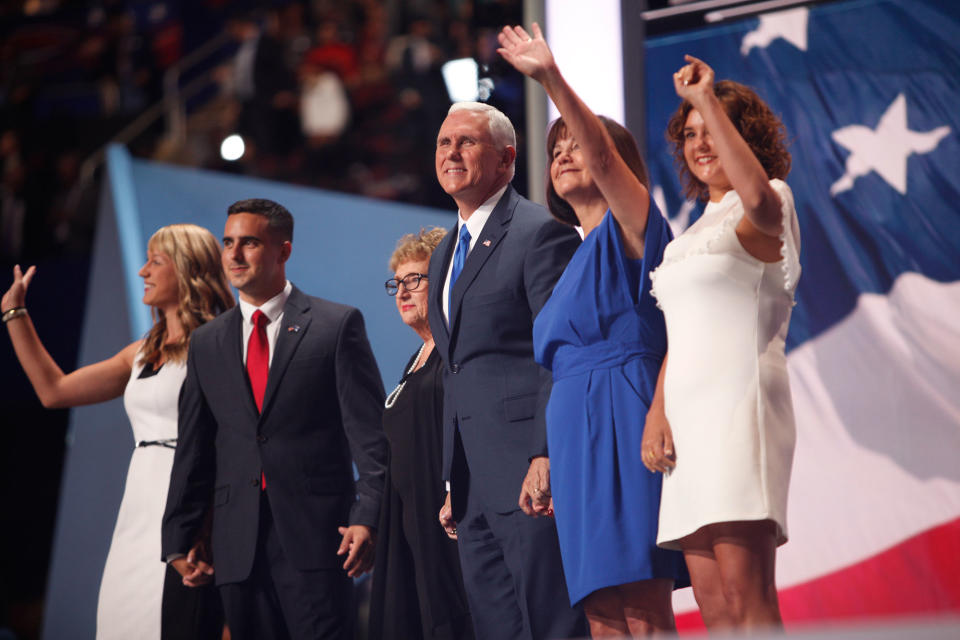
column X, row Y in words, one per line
column 132, row 586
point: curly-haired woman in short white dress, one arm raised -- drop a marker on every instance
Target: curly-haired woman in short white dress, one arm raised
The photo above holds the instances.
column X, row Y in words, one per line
column 721, row 425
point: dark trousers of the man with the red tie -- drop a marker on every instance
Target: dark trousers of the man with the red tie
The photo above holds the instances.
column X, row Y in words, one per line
column 280, row 602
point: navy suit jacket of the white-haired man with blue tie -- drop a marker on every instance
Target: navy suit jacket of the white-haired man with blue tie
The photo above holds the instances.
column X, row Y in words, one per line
column 494, row 391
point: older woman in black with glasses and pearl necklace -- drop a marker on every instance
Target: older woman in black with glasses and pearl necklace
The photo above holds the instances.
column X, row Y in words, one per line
column 417, row 586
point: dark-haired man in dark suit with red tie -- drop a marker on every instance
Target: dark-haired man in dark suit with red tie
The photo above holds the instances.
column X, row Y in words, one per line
column 282, row 395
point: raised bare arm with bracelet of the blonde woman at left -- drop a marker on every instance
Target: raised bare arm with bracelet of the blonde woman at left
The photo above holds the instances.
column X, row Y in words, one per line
column 98, row 382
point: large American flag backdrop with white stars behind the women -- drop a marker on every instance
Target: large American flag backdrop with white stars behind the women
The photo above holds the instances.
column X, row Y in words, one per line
column 870, row 93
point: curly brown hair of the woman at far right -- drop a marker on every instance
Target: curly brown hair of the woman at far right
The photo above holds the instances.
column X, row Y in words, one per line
column 760, row 127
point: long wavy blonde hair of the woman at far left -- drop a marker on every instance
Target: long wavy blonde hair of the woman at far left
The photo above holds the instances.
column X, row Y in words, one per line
column 202, row 288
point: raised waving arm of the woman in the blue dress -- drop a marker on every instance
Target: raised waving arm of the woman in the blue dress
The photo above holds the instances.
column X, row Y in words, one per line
column 627, row 197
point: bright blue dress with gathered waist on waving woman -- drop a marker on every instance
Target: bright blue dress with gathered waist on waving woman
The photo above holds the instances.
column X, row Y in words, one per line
column 603, row 338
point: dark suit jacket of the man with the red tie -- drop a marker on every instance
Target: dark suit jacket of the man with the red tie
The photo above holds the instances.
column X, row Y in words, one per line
column 321, row 411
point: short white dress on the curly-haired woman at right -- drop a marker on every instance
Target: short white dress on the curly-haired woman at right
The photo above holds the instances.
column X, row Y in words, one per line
column 726, row 389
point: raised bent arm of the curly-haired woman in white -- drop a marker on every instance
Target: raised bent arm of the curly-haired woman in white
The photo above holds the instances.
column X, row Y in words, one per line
column 694, row 83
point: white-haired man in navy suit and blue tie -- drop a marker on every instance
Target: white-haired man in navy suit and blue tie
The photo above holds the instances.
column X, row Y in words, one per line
column 489, row 278
